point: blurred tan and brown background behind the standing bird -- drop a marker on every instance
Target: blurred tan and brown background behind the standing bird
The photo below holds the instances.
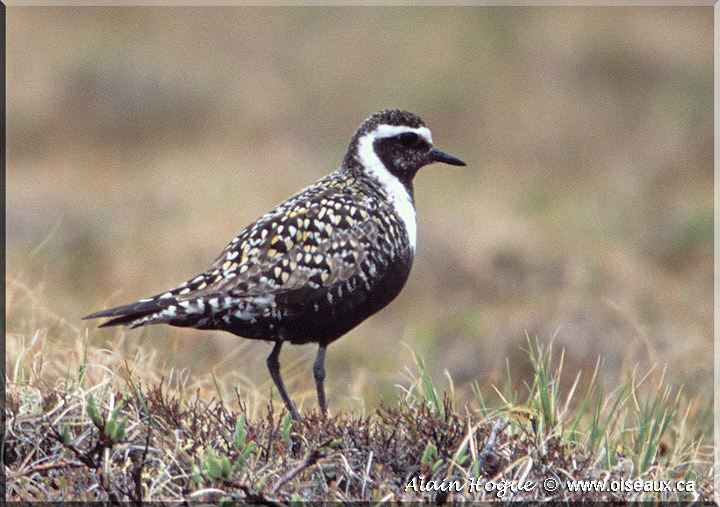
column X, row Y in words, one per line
column 141, row 140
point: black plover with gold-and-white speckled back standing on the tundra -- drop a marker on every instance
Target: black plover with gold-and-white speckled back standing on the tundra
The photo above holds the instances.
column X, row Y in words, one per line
column 318, row 264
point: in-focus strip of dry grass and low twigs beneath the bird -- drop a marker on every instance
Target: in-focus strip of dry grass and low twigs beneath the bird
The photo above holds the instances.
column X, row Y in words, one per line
column 147, row 441
